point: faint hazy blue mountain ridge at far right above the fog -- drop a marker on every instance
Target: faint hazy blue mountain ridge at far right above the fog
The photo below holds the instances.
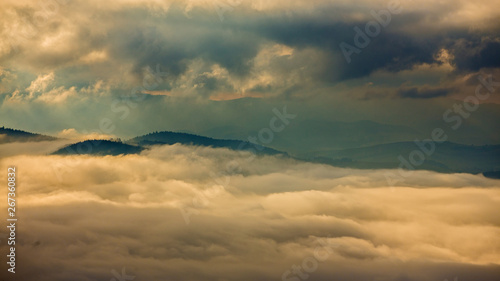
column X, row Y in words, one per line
column 447, row 157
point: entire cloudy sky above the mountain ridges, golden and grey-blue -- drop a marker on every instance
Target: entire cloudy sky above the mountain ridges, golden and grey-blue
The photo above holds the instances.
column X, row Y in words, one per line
column 219, row 68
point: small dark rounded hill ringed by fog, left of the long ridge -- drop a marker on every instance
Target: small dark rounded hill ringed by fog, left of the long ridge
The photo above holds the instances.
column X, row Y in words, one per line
column 99, row 147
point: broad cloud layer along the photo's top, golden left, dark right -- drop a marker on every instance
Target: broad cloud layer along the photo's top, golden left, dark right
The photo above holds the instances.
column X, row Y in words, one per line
column 133, row 35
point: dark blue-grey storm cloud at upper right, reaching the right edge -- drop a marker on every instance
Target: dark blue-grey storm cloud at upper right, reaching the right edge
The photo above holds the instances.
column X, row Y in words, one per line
column 394, row 49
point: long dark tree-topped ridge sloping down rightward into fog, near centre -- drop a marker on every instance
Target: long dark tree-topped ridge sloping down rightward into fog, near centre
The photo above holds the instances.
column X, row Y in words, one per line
column 196, row 140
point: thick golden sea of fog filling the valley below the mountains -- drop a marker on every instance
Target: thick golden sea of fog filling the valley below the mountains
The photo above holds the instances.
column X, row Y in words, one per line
column 91, row 215
